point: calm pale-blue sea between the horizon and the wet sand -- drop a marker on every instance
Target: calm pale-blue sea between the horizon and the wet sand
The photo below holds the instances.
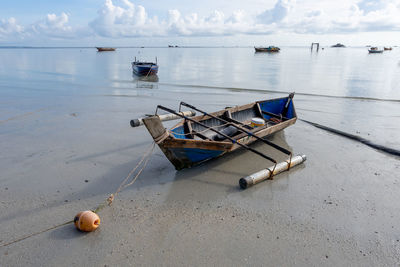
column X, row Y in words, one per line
column 345, row 88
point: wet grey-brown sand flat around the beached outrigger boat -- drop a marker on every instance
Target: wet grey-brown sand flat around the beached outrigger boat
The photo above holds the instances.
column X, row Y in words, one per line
column 339, row 208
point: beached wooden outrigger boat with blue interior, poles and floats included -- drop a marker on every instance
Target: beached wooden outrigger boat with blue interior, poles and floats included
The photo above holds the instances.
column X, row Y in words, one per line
column 201, row 138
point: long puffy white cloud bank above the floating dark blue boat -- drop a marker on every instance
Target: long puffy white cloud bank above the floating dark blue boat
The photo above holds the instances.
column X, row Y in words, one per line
column 129, row 20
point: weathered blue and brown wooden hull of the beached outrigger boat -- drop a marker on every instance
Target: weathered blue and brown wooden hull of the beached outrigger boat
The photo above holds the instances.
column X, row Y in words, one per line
column 185, row 152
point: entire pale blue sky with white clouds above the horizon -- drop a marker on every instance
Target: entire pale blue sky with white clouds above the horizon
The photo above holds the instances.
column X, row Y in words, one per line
column 198, row 23
